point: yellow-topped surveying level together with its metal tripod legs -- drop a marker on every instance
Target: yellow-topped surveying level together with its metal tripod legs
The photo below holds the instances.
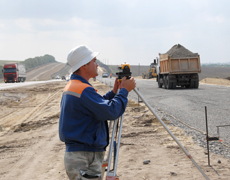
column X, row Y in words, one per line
column 124, row 71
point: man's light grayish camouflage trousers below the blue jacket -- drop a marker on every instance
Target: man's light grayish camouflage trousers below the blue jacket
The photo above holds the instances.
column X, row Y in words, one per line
column 83, row 165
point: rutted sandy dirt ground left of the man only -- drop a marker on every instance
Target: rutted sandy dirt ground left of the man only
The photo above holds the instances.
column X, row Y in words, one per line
column 29, row 140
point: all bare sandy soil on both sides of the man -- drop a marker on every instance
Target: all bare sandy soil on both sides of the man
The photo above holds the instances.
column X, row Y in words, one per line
column 30, row 146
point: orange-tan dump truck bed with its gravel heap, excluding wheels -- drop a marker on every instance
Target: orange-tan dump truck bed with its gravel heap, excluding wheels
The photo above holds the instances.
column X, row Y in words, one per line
column 179, row 60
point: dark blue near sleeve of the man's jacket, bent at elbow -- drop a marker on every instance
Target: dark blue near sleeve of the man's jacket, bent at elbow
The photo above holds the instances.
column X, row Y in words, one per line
column 96, row 106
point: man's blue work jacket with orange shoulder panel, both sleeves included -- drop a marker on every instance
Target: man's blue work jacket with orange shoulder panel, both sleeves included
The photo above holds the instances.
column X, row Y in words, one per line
column 84, row 113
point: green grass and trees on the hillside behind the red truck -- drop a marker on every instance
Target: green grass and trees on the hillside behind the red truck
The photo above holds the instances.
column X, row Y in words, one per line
column 30, row 63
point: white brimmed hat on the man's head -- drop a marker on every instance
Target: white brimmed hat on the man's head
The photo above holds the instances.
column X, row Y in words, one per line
column 80, row 56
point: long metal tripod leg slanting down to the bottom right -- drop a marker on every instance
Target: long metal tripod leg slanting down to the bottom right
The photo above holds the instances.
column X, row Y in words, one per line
column 171, row 134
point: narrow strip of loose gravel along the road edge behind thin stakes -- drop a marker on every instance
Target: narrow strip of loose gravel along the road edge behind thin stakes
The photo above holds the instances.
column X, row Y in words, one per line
column 199, row 138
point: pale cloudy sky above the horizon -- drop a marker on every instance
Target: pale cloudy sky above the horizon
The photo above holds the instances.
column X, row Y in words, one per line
column 131, row 31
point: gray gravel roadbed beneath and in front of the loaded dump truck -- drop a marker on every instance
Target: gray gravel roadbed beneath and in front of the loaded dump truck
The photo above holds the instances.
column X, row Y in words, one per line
column 188, row 105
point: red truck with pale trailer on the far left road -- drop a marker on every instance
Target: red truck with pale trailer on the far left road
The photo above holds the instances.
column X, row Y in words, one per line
column 14, row 72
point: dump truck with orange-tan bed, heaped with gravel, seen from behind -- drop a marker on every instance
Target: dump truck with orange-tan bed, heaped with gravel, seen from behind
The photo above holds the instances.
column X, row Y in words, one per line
column 178, row 67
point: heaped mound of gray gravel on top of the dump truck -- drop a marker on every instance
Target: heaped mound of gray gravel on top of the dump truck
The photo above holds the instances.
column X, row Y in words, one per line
column 178, row 51
